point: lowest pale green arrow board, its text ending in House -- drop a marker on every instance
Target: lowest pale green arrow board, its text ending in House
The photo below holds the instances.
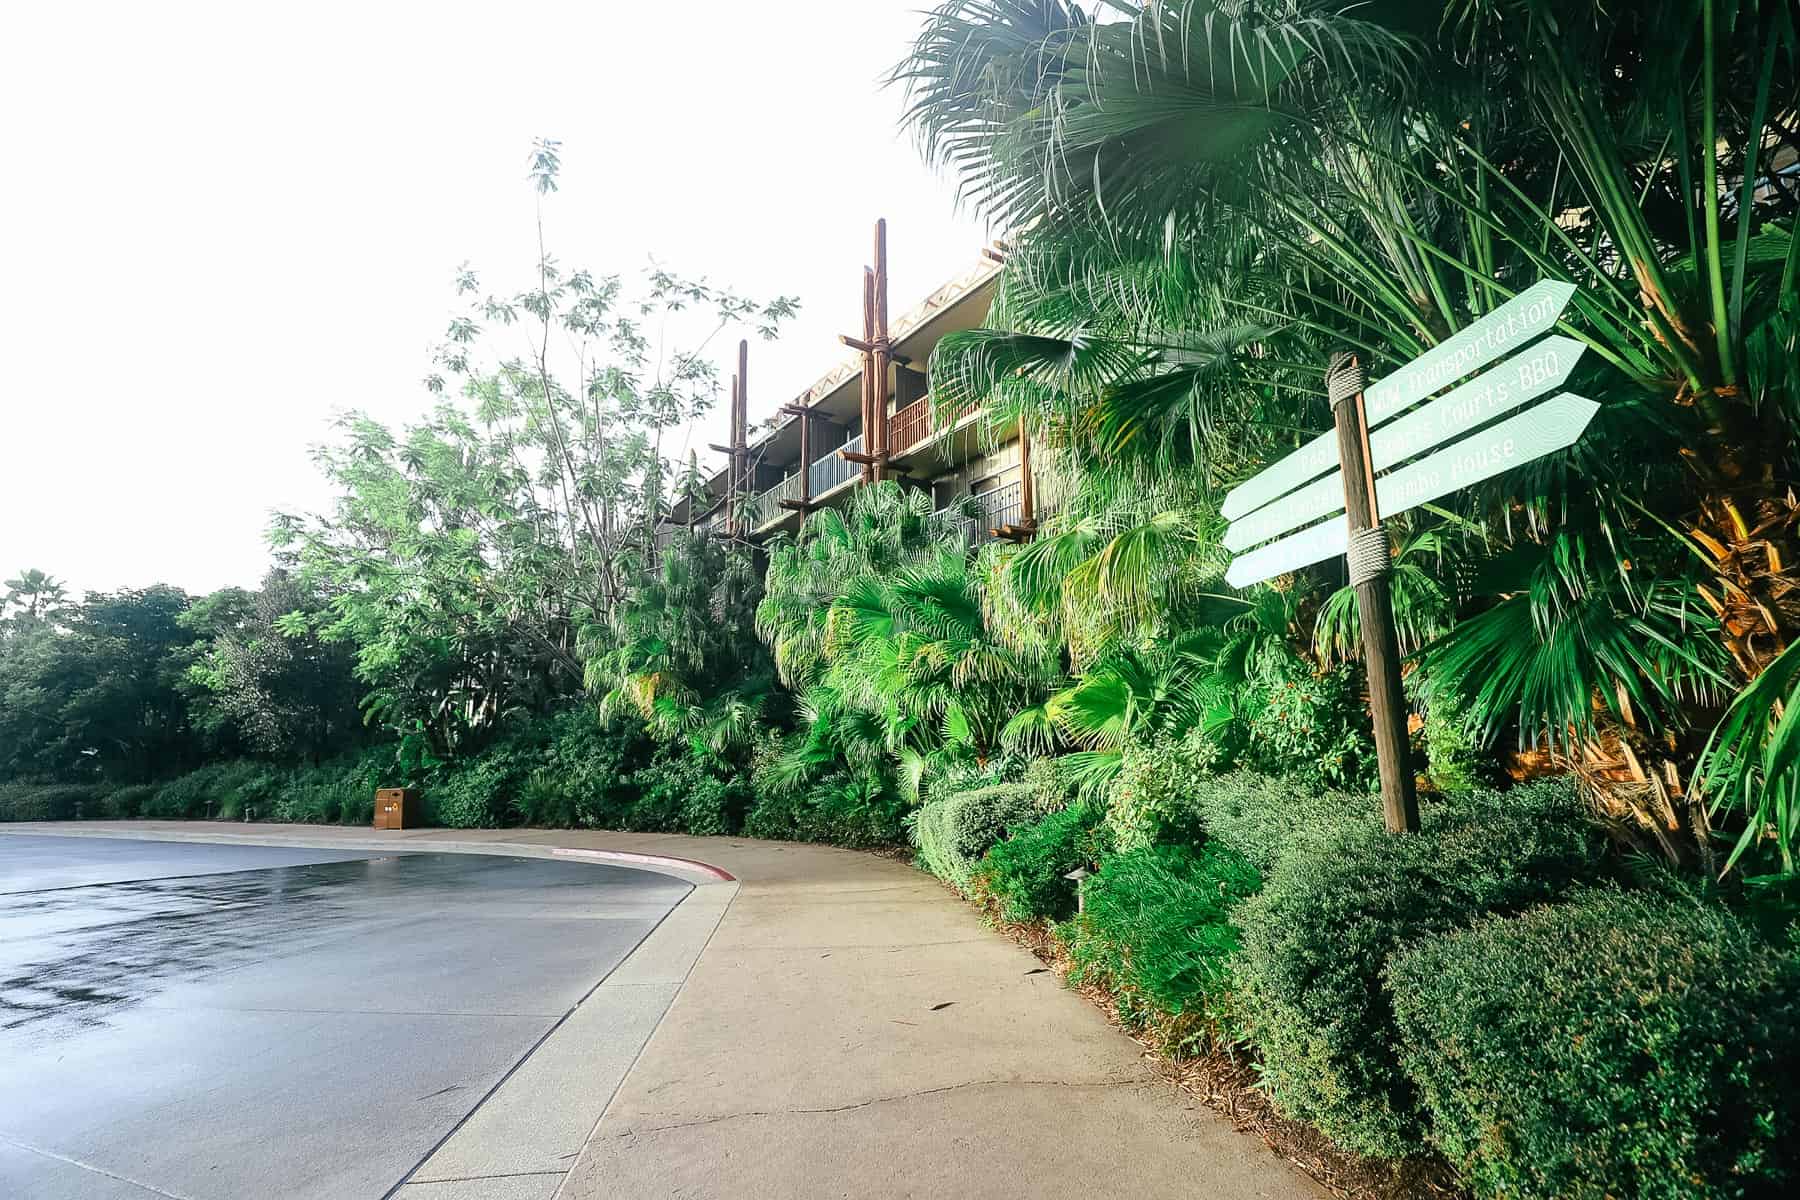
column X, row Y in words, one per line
column 1543, row 429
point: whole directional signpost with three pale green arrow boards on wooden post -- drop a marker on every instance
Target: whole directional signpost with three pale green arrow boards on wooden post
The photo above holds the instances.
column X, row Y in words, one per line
column 1392, row 454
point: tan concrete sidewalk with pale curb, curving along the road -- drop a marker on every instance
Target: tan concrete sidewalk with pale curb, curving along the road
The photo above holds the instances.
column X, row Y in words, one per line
column 841, row 1026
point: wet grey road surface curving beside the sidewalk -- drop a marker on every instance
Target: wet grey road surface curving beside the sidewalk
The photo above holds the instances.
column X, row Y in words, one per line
column 240, row 1021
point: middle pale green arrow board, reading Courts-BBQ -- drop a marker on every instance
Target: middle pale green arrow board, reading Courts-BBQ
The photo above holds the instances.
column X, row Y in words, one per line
column 1506, row 388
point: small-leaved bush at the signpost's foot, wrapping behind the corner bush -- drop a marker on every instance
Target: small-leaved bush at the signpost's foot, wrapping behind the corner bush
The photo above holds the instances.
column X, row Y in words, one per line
column 1318, row 938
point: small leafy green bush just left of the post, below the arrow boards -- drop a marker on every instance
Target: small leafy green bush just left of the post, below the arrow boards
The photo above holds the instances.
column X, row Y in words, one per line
column 1309, row 726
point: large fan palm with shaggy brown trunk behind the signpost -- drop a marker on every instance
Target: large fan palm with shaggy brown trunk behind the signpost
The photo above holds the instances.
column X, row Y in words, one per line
column 1277, row 181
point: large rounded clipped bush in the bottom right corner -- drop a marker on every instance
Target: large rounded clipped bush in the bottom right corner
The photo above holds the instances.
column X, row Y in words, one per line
column 1615, row 1044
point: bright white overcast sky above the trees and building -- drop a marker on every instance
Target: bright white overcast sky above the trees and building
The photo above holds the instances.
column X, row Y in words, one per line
column 224, row 222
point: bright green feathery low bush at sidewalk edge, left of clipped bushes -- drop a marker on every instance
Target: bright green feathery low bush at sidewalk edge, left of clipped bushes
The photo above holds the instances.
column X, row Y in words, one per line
column 1156, row 931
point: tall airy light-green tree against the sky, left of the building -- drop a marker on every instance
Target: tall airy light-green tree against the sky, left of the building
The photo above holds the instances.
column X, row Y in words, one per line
column 469, row 551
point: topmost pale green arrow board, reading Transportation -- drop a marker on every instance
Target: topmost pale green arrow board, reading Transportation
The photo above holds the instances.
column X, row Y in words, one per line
column 1507, row 328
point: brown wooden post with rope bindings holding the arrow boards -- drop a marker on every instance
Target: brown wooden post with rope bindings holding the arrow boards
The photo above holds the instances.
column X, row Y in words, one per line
column 1369, row 575
